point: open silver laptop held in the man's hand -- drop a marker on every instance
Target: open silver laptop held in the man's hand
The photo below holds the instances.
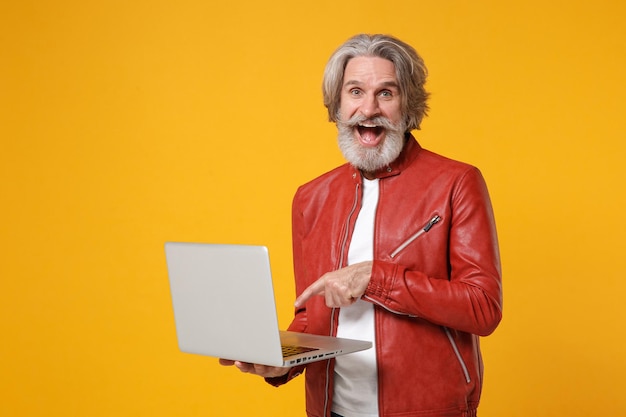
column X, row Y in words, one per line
column 224, row 307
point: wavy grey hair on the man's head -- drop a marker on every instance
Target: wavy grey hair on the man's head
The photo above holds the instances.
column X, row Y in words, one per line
column 410, row 72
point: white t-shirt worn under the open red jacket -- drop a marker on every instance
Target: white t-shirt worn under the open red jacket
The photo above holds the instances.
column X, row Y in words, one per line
column 356, row 382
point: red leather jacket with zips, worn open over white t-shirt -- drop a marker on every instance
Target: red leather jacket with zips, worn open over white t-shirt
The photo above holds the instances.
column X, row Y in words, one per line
column 435, row 285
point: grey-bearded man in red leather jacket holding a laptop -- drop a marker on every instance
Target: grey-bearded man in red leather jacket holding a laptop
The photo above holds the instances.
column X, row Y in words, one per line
column 398, row 246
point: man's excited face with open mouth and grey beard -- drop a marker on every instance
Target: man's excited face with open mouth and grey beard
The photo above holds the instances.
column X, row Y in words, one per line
column 371, row 124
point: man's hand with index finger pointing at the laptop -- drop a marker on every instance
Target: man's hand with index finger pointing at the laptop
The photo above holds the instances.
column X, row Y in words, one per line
column 340, row 288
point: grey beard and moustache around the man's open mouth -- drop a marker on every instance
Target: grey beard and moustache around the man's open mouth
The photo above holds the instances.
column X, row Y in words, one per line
column 370, row 159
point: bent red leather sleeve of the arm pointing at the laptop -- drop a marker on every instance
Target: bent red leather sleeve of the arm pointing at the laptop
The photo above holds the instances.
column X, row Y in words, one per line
column 470, row 300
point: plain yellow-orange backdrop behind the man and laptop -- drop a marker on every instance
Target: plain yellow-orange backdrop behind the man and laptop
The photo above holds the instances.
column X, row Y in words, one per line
column 124, row 124
